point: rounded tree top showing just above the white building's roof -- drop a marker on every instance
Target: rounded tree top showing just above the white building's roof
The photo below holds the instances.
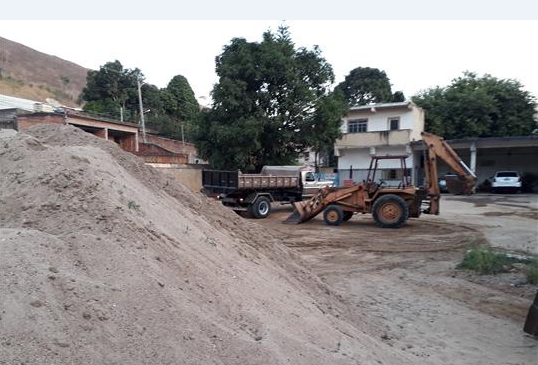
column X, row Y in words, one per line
column 366, row 85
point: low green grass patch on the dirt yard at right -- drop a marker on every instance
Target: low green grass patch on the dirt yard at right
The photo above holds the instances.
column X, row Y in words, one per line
column 487, row 262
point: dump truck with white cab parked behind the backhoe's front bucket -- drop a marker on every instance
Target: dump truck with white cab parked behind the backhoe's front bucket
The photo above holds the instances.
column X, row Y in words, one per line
column 254, row 193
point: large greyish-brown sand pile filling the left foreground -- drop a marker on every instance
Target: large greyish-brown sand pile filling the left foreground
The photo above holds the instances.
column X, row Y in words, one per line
column 105, row 261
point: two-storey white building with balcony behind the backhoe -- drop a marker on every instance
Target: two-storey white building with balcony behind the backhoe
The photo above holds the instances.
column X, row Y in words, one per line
column 378, row 129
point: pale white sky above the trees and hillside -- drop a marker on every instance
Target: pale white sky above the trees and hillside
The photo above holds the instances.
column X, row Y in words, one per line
column 416, row 55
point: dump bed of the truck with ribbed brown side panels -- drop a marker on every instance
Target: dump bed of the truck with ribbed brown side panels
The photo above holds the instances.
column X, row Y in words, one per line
column 234, row 180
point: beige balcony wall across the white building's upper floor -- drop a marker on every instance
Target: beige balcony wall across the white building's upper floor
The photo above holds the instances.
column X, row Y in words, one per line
column 372, row 139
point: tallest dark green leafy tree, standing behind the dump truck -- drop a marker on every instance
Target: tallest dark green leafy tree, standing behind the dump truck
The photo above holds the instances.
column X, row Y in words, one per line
column 267, row 103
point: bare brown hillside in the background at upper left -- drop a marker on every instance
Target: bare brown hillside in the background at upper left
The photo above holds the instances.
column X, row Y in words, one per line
column 27, row 73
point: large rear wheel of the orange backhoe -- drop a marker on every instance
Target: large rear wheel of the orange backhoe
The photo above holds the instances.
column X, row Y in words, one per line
column 390, row 211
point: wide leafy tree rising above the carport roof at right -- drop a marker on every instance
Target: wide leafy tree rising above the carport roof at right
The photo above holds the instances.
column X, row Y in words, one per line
column 473, row 106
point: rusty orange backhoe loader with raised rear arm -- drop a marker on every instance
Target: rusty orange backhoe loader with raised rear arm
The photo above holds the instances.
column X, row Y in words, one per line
column 390, row 206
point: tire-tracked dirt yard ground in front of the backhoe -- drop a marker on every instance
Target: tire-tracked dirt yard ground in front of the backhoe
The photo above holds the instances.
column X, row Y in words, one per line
column 404, row 282
